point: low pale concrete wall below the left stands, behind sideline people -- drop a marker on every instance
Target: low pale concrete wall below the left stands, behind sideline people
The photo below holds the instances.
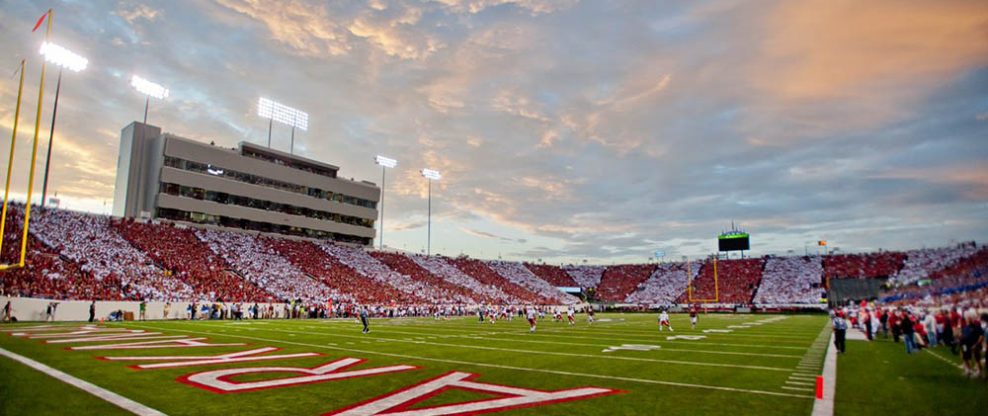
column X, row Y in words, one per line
column 30, row 309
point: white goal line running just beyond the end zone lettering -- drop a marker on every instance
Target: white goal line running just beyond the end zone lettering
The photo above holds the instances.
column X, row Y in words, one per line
column 504, row 367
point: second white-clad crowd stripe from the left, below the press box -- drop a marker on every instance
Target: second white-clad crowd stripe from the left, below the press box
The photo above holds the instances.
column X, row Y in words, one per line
column 263, row 267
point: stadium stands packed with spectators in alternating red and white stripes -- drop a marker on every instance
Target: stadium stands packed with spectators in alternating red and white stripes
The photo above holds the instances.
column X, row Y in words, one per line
column 75, row 255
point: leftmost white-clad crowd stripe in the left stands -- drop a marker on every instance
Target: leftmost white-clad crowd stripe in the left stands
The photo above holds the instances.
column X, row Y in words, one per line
column 90, row 241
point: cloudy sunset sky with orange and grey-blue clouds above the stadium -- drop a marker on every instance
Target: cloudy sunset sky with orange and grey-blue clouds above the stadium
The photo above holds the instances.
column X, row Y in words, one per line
column 566, row 130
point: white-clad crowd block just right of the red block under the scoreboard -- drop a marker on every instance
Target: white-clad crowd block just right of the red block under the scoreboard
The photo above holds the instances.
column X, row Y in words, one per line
column 791, row 280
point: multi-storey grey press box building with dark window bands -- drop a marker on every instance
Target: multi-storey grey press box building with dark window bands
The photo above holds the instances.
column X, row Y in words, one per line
column 160, row 175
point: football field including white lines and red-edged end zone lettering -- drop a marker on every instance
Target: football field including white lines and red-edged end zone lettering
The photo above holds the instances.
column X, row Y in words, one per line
column 622, row 364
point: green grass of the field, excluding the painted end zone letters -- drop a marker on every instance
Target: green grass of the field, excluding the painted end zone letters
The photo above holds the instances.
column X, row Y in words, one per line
column 759, row 367
